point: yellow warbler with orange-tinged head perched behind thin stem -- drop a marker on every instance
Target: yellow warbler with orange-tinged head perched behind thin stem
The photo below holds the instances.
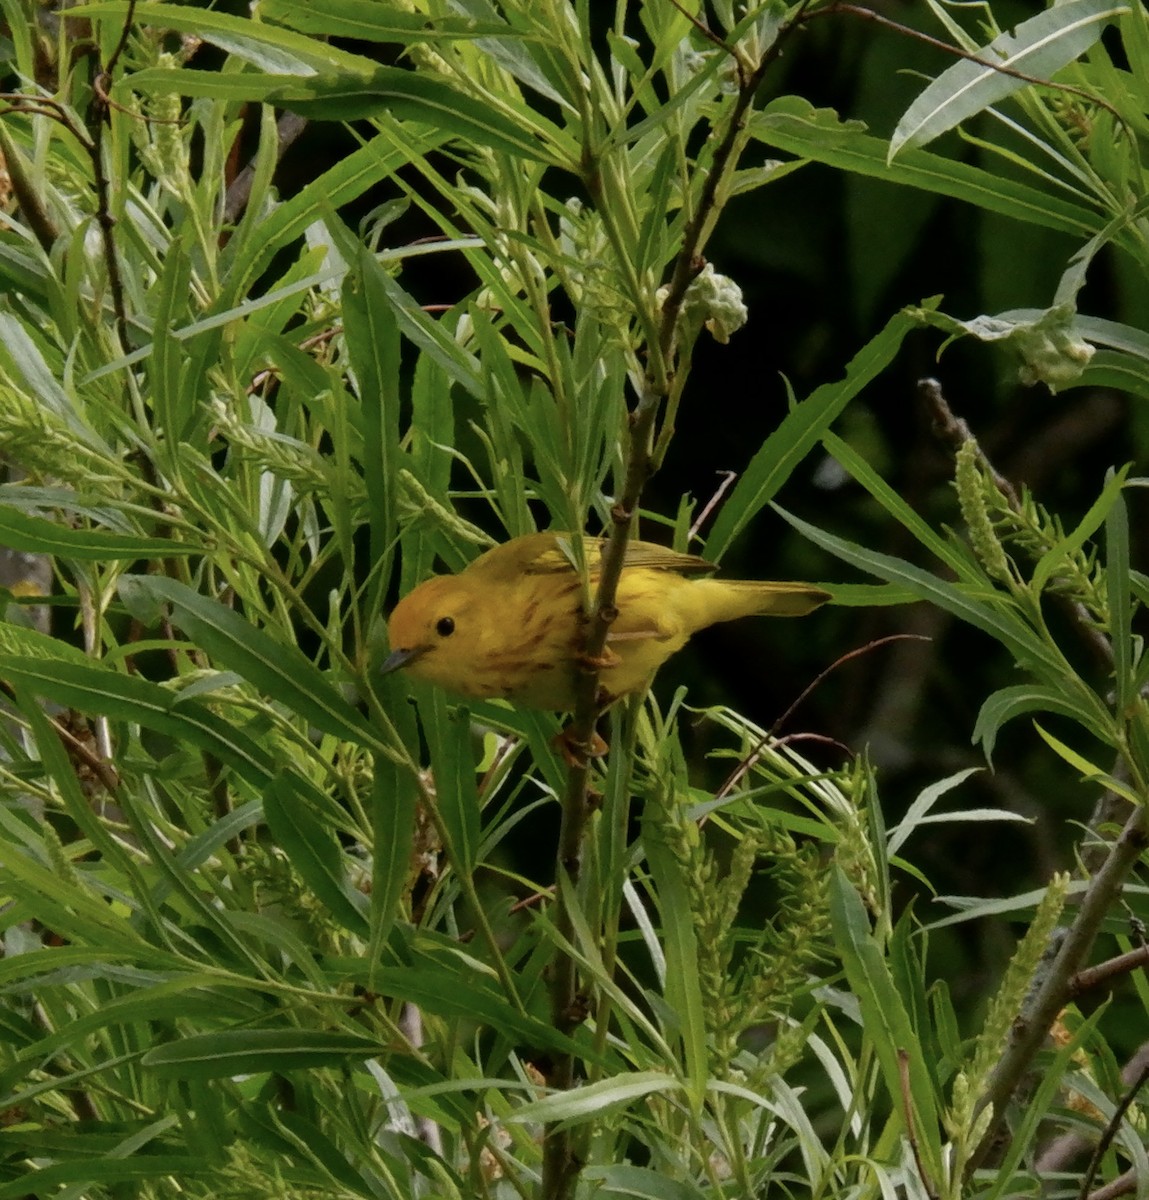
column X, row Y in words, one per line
column 512, row 623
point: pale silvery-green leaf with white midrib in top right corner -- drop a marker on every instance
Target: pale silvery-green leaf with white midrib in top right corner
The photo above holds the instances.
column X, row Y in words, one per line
column 1039, row 47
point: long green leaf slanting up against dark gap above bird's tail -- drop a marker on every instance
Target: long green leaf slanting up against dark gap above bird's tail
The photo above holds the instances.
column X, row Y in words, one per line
column 798, row 434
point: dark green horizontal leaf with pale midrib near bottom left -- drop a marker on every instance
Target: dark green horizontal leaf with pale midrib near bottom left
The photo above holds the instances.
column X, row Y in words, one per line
column 232, row 1053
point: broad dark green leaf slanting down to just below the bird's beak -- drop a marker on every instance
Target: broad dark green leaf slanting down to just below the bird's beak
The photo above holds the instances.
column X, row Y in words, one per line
column 279, row 670
